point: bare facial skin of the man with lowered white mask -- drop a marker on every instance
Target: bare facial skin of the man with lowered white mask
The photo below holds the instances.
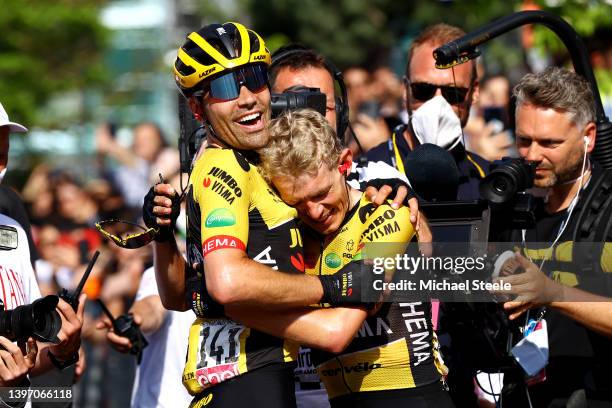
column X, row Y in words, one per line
column 423, row 69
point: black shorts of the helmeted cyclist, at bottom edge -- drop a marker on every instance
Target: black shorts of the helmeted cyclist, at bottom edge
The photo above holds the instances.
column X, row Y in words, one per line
column 266, row 387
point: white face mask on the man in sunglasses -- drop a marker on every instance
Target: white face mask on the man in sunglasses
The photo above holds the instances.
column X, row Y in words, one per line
column 435, row 122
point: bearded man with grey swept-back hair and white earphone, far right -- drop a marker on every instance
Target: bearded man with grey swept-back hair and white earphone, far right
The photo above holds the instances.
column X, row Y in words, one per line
column 555, row 128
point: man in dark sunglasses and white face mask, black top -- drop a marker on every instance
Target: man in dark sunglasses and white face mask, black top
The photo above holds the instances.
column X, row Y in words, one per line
column 438, row 103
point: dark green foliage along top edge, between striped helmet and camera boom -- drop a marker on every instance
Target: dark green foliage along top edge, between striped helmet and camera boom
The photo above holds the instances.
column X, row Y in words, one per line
column 352, row 32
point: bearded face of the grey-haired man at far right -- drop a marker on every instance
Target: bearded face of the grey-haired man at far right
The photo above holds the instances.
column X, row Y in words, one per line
column 550, row 138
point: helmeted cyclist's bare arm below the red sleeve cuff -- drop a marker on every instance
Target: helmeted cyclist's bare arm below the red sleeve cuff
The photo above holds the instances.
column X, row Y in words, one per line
column 234, row 279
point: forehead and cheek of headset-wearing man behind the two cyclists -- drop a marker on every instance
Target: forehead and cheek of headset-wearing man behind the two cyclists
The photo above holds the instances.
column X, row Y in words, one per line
column 311, row 77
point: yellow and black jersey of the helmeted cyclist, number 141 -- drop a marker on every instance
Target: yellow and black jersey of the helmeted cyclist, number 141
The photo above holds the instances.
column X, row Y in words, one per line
column 230, row 205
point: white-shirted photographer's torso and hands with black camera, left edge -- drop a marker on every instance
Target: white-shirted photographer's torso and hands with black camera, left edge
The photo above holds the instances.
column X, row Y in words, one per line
column 47, row 320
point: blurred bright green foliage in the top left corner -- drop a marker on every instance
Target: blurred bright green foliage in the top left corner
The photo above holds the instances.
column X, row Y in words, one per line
column 47, row 47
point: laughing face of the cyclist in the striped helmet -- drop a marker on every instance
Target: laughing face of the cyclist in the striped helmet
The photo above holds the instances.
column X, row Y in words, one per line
column 224, row 117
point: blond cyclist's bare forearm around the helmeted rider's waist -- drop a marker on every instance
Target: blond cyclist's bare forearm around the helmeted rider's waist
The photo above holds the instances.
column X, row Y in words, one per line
column 330, row 329
